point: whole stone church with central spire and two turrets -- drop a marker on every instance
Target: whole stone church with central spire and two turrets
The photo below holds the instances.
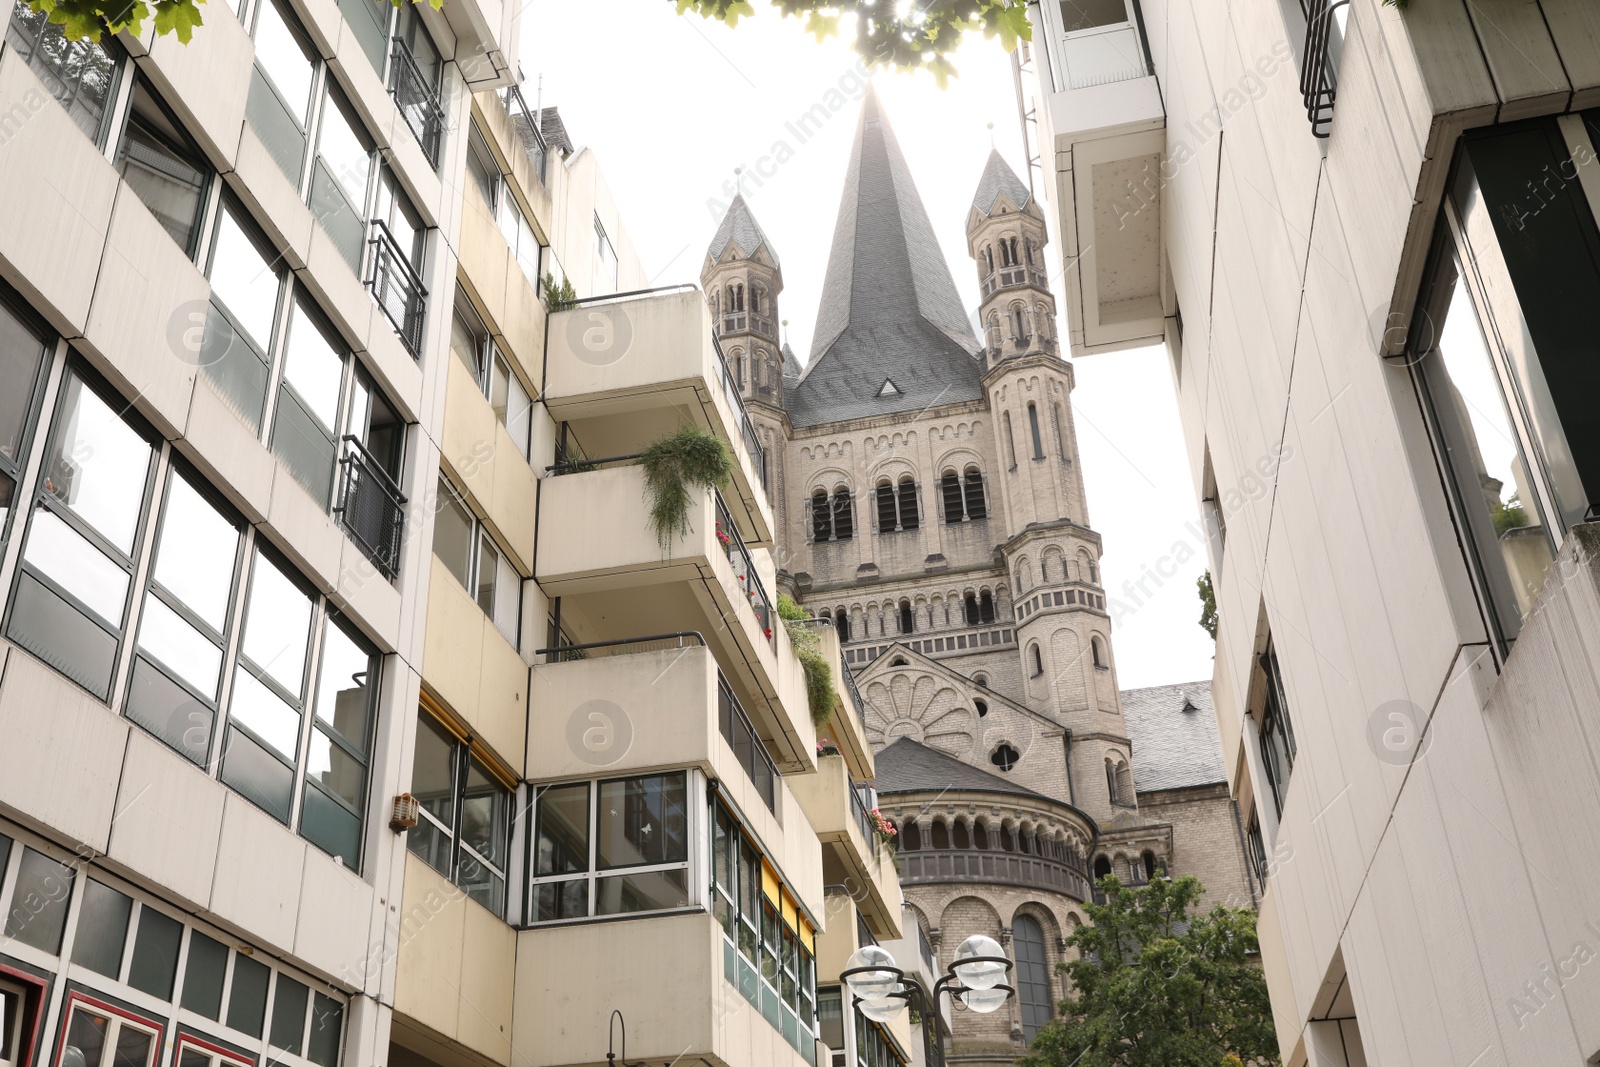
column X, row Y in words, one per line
column 930, row 500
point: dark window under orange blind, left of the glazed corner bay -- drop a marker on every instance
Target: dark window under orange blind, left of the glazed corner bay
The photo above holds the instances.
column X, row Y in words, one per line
column 465, row 825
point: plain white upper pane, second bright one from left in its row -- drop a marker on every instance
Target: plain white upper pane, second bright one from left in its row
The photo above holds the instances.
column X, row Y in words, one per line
column 198, row 551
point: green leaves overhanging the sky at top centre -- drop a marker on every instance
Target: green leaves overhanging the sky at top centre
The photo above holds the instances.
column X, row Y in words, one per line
column 913, row 36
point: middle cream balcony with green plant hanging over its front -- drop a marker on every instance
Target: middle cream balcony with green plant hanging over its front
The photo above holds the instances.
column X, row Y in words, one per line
column 598, row 553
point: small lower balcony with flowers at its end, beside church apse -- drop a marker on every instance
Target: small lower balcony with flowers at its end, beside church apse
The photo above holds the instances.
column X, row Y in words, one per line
column 852, row 853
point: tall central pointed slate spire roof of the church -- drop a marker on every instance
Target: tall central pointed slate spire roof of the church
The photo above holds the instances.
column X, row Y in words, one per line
column 890, row 308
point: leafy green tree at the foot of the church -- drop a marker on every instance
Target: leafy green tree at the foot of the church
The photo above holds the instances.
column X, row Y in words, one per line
column 1159, row 986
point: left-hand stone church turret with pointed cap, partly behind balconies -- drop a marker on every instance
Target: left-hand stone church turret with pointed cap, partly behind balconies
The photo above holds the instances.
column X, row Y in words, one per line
column 742, row 279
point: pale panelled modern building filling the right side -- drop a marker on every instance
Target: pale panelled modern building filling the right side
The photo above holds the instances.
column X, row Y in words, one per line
column 1367, row 238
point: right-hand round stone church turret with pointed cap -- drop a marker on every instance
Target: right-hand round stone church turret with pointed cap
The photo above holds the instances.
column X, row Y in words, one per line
column 1052, row 554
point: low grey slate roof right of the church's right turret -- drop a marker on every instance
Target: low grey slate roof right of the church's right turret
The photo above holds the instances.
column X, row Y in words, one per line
column 1174, row 748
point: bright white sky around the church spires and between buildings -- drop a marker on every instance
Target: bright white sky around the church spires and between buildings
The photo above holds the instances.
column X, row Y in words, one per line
column 673, row 105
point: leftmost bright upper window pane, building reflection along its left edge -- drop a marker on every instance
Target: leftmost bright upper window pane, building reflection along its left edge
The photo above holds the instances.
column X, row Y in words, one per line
column 98, row 466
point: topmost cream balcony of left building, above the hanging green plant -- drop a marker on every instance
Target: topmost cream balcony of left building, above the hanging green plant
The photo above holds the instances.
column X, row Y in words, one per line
column 626, row 370
